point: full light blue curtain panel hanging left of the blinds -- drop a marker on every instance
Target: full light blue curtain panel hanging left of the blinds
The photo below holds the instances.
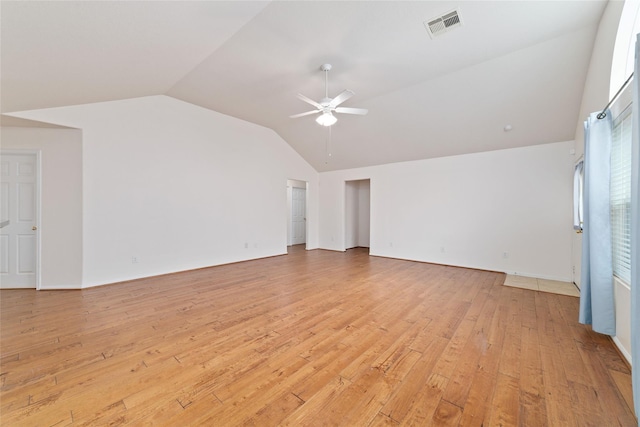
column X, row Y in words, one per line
column 597, row 307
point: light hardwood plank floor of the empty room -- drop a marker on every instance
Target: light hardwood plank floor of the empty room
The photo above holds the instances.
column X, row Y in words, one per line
column 311, row 338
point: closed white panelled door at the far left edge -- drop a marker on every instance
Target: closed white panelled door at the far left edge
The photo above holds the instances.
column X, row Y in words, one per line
column 18, row 216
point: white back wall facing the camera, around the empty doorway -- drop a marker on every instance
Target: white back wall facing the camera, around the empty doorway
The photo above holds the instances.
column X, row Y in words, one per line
column 466, row 210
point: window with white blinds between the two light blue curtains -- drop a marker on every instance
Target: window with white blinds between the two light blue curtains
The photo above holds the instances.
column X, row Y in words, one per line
column 621, row 195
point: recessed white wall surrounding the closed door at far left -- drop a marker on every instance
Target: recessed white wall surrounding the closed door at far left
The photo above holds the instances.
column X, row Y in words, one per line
column 61, row 200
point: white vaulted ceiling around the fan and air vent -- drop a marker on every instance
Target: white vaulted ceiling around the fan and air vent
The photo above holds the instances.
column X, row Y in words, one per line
column 518, row 63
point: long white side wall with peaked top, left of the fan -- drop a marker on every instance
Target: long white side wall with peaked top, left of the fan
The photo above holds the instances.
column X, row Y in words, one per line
column 179, row 187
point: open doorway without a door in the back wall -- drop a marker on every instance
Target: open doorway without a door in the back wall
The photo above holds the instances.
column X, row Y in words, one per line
column 357, row 214
